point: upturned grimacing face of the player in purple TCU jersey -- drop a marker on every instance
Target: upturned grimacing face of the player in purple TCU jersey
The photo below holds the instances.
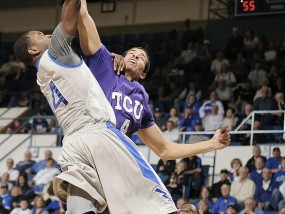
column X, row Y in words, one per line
column 136, row 60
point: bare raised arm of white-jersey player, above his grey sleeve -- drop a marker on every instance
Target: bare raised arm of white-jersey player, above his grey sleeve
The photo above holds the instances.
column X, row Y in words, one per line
column 70, row 16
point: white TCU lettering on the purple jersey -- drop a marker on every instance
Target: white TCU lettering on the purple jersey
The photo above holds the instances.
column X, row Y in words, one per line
column 126, row 103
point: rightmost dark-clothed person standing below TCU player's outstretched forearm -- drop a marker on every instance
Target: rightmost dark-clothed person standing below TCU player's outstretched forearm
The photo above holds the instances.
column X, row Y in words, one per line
column 193, row 175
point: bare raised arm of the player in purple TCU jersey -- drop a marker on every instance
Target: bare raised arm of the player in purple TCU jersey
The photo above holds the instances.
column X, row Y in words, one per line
column 88, row 34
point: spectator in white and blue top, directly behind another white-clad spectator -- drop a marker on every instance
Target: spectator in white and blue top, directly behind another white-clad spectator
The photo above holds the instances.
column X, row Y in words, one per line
column 207, row 105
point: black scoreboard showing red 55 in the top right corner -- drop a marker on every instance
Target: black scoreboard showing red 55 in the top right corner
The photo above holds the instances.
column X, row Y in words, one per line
column 259, row 7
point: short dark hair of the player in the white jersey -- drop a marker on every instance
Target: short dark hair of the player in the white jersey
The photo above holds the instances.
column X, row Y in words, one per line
column 21, row 49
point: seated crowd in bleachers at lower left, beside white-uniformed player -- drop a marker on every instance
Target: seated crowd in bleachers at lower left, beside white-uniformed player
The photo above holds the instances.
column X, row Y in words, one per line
column 24, row 186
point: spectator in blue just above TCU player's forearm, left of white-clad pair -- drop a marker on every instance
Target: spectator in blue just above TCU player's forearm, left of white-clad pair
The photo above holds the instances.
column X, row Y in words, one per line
column 187, row 121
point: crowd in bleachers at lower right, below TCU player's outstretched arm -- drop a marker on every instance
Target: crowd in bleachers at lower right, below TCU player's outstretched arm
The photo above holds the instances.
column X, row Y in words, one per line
column 256, row 185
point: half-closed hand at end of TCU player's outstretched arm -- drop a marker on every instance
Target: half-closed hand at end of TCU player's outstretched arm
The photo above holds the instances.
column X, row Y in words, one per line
column 221, row 138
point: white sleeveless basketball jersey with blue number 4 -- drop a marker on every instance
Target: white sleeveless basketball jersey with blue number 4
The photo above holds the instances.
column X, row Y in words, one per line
column 73, row 93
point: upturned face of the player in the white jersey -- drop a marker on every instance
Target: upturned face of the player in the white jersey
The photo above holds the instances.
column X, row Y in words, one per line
column 39, row 40
